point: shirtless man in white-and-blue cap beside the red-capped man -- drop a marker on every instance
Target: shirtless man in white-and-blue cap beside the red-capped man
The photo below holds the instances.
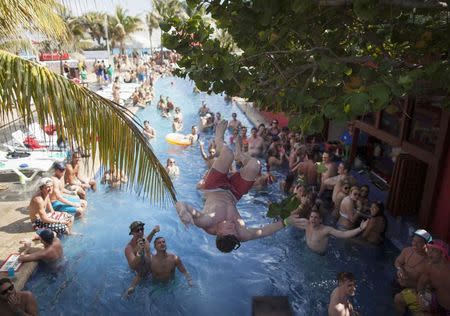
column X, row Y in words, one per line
column 410, row 265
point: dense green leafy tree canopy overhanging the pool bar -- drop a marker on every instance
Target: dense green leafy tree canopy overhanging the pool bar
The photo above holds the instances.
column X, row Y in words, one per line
column 311, row 60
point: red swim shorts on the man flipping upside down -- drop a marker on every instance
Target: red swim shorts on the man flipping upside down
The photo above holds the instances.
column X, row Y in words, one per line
column 235, row 184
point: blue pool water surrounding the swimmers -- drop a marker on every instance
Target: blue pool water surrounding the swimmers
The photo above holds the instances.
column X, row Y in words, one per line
column 95, row 274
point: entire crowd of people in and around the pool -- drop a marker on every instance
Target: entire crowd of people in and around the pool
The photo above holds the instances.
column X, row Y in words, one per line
column 318, row 186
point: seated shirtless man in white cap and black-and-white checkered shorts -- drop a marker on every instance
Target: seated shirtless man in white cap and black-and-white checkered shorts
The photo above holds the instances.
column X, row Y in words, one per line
column 38, row 211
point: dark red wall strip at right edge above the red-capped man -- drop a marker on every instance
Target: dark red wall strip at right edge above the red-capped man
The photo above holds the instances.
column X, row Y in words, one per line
column 441, row 220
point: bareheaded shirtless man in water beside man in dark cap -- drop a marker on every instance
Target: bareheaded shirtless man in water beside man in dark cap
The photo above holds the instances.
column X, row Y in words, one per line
column 164, row 263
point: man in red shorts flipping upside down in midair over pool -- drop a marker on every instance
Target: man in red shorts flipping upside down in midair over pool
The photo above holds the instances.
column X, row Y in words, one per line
column 220, row 216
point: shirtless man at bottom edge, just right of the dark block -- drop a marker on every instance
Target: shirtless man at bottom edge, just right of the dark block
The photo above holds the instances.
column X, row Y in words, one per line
column 340, row 304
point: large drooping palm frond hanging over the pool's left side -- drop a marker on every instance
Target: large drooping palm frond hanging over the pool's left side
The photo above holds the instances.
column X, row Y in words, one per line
column 83, row 116
